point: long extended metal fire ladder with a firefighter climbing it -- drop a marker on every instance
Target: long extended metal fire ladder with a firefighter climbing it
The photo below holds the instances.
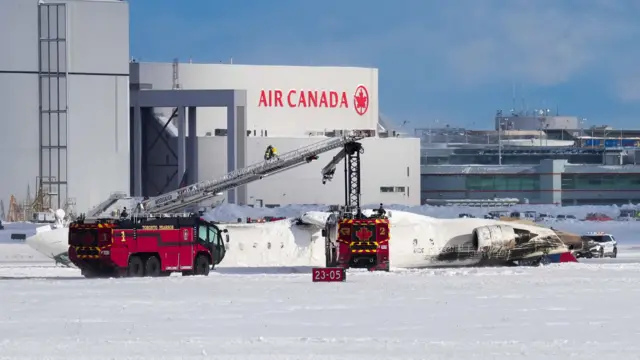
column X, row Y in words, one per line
column 180, row 198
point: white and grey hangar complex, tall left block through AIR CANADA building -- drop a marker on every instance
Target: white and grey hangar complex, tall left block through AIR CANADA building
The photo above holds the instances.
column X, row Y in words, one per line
column 82, row 120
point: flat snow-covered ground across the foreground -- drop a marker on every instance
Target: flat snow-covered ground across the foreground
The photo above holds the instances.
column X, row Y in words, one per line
column 585, row 310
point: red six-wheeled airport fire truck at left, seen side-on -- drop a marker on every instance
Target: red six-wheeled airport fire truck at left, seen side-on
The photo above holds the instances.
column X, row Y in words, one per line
column 146, row 246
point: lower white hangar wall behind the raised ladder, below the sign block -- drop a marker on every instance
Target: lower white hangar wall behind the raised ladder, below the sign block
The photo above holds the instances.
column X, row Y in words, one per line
column 390, row 172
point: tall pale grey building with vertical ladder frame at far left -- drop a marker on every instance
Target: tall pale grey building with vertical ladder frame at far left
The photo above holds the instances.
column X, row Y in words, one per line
column 80, row 137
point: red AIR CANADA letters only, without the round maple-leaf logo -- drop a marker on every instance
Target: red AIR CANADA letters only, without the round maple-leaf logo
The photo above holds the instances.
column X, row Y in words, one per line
column 301, row 98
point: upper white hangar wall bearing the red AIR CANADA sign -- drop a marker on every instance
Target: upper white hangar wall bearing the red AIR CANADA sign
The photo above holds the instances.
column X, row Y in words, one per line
column 283, row 100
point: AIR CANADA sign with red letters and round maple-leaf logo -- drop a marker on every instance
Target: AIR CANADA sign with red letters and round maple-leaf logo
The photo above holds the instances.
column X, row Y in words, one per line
column 316, row 99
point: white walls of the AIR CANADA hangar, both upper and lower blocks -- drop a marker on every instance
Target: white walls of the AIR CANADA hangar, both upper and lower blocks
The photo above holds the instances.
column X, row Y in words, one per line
column 277, row 114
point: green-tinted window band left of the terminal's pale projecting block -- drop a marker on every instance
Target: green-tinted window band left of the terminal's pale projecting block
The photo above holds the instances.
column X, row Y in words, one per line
column 515, row 182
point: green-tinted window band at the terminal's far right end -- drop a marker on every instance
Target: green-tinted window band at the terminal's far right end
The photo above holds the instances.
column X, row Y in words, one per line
column 601, row 181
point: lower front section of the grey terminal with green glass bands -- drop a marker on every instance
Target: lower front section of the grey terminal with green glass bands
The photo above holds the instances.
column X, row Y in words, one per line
column 550, row 182
